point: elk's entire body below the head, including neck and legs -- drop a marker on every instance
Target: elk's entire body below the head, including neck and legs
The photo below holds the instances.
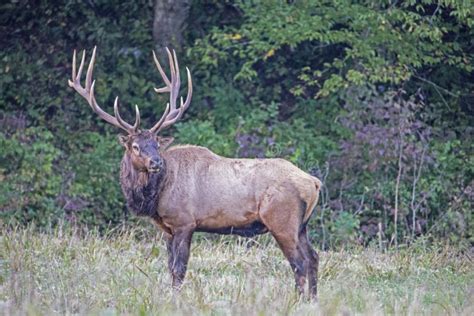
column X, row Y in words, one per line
column 201, row 191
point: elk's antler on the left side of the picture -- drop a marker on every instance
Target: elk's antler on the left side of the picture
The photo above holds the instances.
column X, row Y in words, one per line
column 87, row 93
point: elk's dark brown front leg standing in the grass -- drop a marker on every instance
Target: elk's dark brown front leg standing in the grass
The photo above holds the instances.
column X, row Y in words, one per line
column 178, row 251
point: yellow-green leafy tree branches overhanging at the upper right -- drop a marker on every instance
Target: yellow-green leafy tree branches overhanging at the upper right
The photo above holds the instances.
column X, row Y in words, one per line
column 351, row 43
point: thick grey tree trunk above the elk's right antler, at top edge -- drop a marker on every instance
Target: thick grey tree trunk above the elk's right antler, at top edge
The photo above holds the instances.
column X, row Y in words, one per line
column 169, row 22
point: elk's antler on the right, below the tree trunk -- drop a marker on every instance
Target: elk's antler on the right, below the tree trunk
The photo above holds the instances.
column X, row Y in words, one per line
column 171, row 114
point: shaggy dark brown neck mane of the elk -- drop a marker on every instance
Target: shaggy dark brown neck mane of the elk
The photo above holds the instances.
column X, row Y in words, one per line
column 141, row 189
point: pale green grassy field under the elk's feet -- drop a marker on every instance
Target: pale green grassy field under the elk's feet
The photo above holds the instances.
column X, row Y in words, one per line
column 125, row 273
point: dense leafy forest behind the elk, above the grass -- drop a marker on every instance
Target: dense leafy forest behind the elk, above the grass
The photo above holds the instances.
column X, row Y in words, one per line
column 373, row 97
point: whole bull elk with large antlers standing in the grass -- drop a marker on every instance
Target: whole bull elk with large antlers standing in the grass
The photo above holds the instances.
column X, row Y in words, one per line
column 187, row 189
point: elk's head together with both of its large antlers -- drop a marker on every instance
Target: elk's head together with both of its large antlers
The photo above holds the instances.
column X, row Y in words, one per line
column 143, row 147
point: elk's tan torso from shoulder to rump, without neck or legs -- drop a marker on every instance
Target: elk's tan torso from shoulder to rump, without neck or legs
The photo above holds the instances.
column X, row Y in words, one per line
column 215, row 192
